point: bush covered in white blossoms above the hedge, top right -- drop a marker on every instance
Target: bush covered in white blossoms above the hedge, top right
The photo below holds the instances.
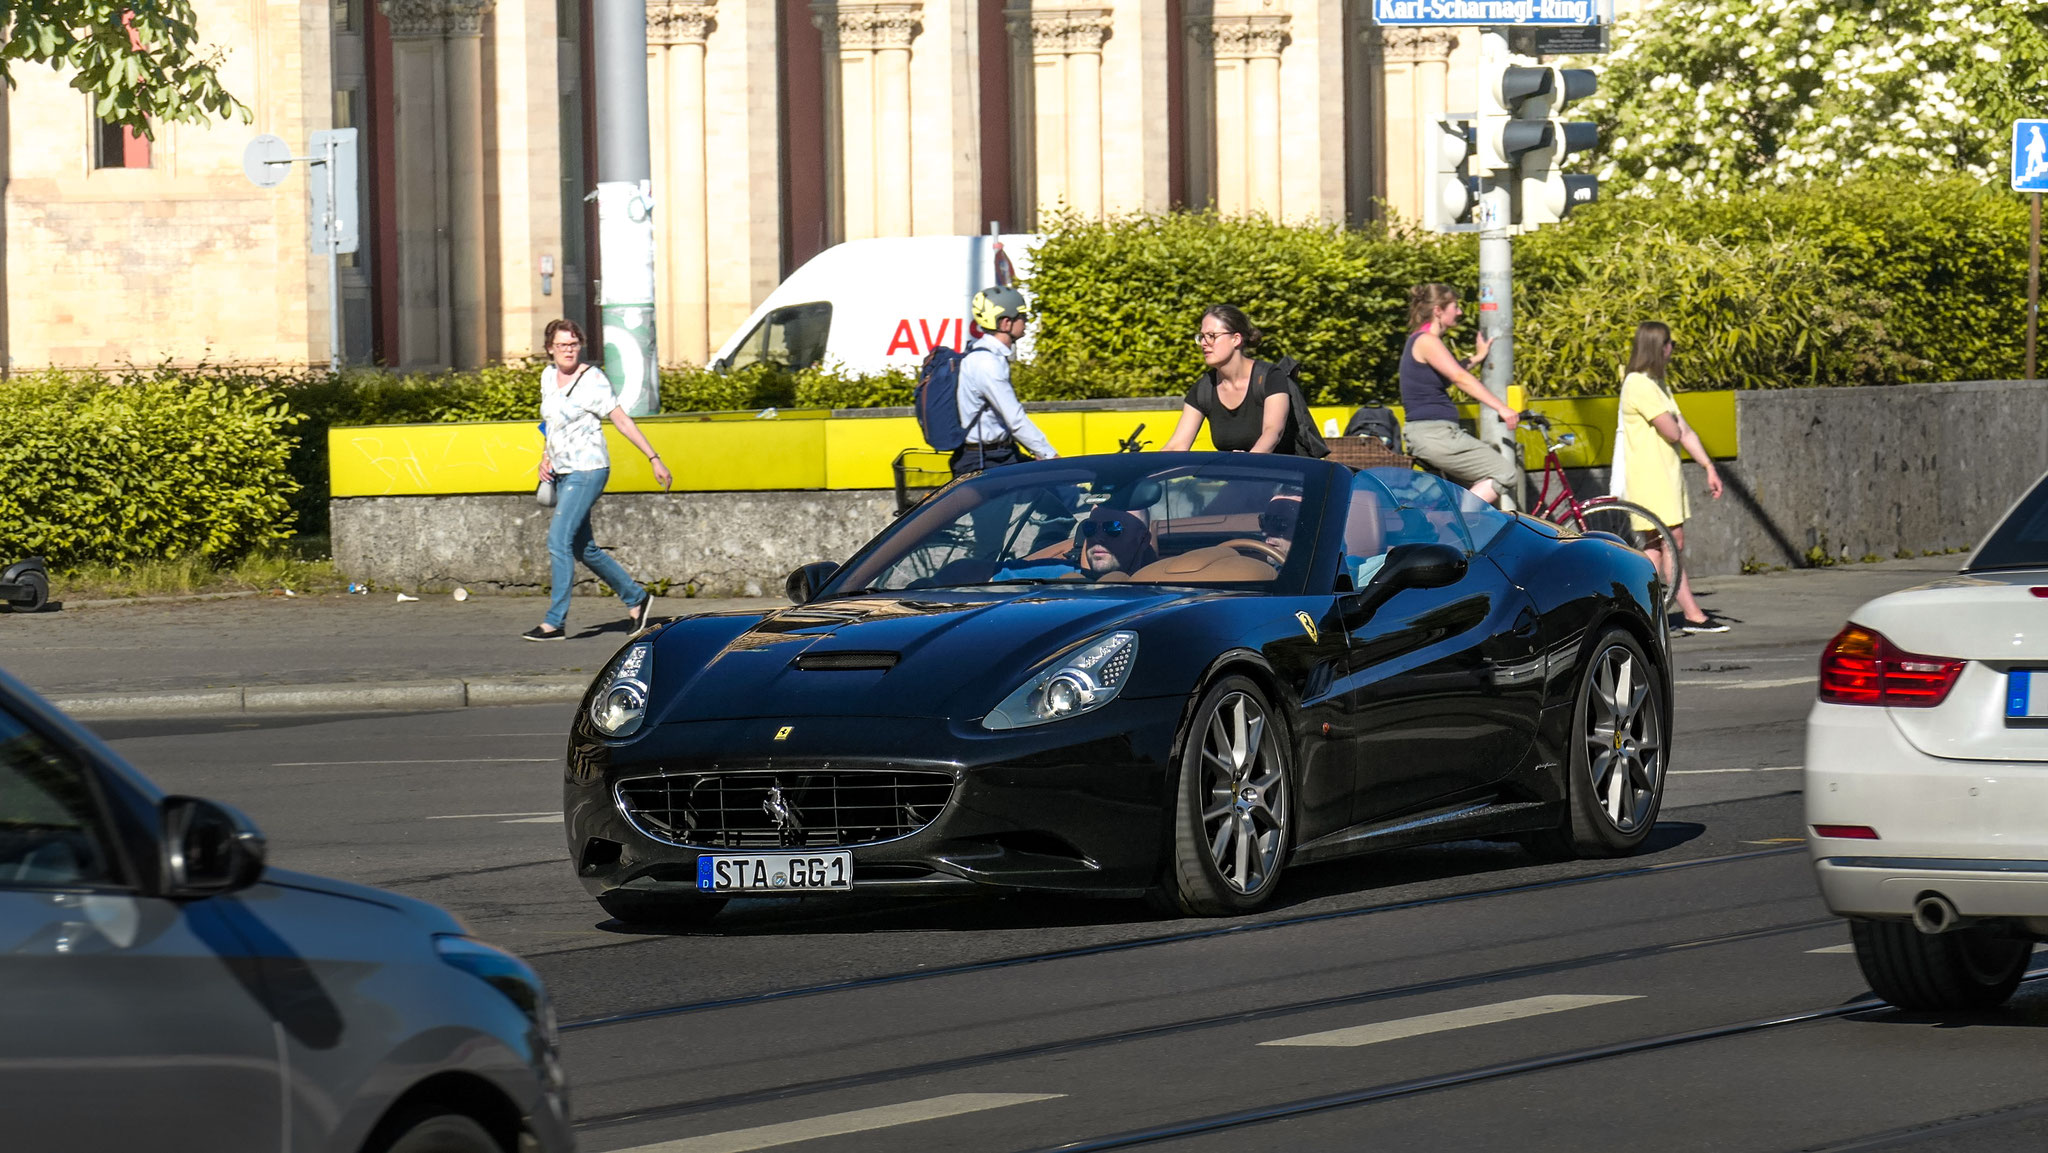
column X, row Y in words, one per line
column 1730, row 95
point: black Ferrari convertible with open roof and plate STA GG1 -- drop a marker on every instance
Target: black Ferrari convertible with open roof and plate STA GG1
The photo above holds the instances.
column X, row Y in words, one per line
column 1158, row 673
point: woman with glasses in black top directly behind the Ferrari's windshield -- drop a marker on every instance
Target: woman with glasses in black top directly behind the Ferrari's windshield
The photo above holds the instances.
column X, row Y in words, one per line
column 1244, row 407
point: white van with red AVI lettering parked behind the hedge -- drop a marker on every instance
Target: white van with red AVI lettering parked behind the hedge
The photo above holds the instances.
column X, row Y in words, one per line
column 878, row 304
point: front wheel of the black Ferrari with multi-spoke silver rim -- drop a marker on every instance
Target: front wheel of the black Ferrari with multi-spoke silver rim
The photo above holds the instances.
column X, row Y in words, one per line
column 1234, row 806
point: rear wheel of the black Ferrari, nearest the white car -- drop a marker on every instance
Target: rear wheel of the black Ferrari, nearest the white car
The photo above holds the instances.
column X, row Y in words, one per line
column 1617, row 769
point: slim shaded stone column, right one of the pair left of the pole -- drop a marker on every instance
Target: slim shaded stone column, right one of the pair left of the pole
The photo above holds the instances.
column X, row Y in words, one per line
column 464, row 48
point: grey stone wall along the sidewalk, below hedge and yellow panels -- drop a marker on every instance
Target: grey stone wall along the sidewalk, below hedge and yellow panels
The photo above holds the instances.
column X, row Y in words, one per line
column 1848, row 472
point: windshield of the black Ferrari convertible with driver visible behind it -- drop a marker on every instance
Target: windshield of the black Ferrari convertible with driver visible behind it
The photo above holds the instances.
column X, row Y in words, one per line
column 1203, row 519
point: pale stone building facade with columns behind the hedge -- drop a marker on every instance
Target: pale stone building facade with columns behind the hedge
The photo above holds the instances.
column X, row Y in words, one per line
column 779, row 128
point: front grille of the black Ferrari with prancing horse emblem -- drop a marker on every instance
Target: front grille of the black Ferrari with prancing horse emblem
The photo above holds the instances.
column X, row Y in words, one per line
column 787, row 808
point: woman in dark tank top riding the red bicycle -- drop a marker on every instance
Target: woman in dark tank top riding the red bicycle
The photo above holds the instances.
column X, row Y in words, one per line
column 1428, row 374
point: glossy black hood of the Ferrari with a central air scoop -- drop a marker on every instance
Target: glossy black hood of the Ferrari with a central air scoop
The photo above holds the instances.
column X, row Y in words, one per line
column 908, row 654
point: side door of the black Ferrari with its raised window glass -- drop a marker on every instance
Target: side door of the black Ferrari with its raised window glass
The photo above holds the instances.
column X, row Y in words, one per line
column 1441, row 685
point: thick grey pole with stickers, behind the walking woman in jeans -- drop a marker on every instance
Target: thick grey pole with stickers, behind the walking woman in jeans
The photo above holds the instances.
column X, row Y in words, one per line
column 626, row 206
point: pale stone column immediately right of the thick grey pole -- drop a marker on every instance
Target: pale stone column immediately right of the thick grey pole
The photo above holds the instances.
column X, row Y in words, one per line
column 677, row 44
